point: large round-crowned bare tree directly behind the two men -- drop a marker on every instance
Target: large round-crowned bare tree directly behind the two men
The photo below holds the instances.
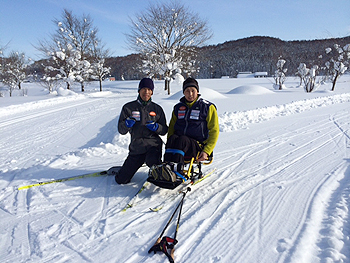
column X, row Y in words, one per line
column 164, row 35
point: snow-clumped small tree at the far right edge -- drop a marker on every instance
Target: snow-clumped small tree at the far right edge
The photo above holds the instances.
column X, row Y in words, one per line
column 338, row 60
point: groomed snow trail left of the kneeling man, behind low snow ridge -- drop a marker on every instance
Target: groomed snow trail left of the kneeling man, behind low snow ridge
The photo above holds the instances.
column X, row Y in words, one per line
column 71, row 125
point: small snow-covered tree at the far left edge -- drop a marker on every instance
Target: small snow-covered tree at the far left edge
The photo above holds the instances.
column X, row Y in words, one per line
column 13, row 70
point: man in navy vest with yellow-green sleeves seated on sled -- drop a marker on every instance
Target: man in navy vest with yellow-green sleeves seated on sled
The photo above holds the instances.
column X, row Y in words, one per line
column 193, row 128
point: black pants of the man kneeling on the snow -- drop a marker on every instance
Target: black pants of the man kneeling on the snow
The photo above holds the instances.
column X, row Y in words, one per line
column 134, row 161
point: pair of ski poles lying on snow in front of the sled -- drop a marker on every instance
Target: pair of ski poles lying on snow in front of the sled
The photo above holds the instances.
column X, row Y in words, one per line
column 163, row 243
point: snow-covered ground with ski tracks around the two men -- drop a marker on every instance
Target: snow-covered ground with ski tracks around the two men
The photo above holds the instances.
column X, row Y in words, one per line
column 280, row 192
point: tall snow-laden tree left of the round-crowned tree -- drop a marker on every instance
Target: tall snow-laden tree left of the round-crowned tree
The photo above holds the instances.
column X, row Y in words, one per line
column 71, row 47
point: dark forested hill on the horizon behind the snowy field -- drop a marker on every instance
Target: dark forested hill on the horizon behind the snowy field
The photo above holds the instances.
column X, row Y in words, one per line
column 257, row 53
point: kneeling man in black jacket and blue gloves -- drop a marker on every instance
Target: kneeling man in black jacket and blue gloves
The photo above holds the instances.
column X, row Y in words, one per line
column 145, row 121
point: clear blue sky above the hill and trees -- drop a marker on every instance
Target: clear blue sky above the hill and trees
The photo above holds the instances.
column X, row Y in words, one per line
column 24, row 22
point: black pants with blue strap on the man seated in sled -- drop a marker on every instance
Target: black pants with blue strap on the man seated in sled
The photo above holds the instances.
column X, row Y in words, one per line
column 187, row 145
